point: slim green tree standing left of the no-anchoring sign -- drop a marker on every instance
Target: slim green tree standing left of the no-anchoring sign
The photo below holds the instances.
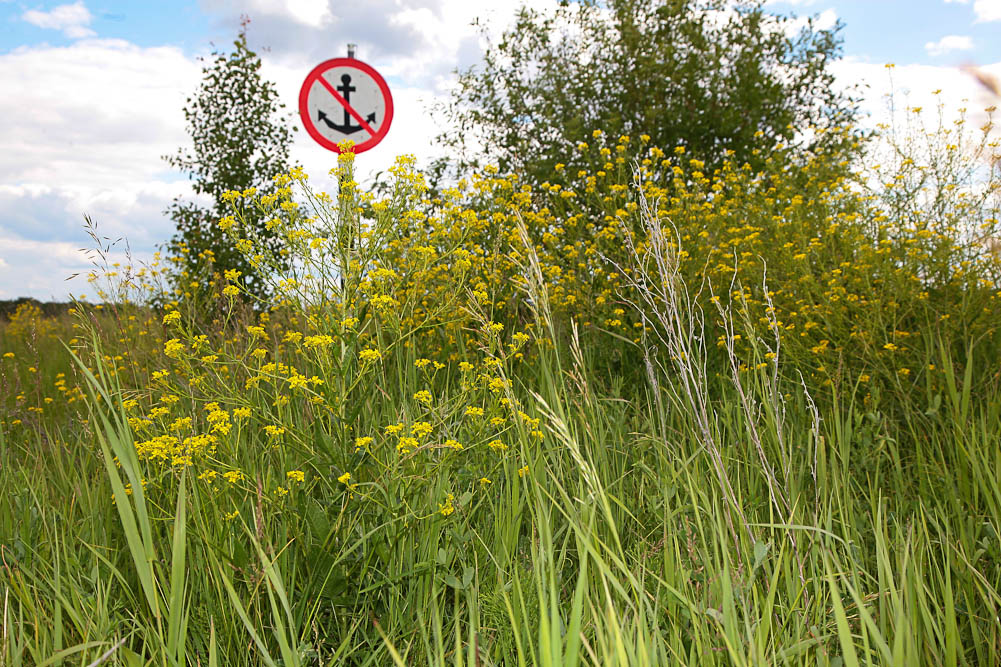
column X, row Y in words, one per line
column 241, row 141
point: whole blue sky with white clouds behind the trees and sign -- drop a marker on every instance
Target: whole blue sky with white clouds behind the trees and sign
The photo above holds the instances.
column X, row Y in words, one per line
column 94, row 93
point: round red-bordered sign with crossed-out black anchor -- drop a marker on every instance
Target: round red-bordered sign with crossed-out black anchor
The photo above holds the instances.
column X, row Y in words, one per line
column 345, row 99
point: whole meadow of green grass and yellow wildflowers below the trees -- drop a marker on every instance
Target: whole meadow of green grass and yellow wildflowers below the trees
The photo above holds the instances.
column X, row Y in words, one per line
column 637, row 415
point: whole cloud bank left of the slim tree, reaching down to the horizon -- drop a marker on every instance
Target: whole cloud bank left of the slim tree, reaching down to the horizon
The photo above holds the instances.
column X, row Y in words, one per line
column 85, row 129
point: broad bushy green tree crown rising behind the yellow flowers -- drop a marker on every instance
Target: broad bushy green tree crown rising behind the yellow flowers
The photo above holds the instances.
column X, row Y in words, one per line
column 705, row 75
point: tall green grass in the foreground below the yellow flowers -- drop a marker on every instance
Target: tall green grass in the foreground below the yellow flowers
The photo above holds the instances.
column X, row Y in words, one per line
column 631, row 542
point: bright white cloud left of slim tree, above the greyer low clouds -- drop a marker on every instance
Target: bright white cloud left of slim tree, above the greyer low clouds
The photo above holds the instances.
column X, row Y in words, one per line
column 98, row 114
